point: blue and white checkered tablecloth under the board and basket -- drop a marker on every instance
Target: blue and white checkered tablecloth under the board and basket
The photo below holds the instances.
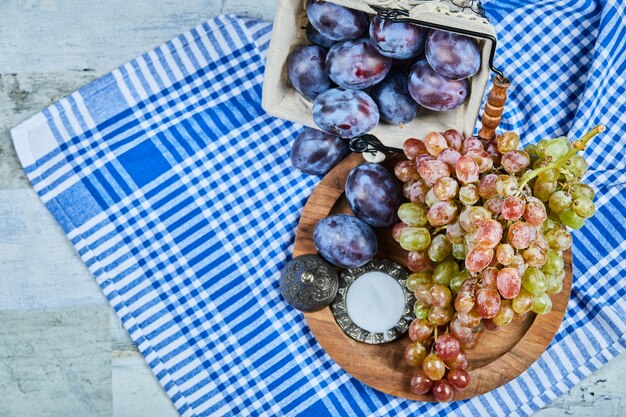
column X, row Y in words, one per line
column 176, row 189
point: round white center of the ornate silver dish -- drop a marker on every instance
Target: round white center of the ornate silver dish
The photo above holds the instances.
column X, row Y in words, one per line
column 375, row 302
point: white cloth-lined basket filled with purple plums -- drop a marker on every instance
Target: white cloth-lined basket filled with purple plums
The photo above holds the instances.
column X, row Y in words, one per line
column 428, row 91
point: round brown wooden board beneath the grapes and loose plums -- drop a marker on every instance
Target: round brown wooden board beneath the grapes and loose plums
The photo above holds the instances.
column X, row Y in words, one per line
column 499, row 356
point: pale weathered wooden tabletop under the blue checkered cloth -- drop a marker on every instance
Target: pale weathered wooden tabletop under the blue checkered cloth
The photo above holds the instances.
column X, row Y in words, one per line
column 62, row 350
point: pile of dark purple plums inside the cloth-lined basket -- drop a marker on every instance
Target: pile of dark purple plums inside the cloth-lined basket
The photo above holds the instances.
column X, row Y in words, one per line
column 405, row 66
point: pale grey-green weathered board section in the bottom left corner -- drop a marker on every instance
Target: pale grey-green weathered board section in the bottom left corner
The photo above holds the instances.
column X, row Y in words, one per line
column 55, row 362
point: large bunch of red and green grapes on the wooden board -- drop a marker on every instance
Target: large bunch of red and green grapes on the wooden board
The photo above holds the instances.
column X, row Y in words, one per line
column 485, row 240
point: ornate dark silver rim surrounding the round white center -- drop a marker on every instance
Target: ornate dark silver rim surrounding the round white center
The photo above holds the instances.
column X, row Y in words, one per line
column 341, row 314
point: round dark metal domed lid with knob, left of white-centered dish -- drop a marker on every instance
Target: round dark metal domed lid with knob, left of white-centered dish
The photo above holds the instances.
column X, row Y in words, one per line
column 308, row 283
